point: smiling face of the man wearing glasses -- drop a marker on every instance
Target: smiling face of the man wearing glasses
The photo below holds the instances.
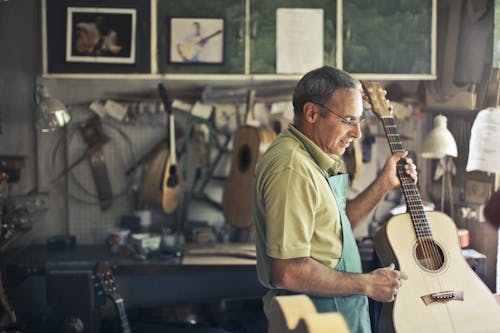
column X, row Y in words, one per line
column 332, row 133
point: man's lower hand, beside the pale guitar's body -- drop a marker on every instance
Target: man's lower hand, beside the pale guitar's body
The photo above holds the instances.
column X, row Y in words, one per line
column 385, row 283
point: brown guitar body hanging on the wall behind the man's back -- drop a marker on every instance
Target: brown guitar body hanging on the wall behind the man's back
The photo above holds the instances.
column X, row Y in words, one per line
column 249, row 144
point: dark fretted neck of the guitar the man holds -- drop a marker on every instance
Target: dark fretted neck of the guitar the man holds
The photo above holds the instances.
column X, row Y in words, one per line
column 409, row 188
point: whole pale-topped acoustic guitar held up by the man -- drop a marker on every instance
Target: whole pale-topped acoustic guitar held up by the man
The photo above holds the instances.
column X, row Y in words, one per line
column 442, row 293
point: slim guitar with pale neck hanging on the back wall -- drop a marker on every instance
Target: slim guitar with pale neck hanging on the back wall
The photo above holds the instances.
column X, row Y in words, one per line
column 171, row 187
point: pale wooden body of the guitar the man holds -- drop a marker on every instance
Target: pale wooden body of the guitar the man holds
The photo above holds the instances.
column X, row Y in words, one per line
column 476, row 312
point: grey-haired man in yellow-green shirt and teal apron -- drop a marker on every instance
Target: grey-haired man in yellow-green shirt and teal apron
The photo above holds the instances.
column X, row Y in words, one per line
column 303, row 225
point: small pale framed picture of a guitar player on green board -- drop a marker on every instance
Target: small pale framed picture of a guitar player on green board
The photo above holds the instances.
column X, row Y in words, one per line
column 197, row 40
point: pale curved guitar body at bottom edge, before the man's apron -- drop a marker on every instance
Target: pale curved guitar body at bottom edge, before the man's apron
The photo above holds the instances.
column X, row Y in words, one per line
column 297, row 314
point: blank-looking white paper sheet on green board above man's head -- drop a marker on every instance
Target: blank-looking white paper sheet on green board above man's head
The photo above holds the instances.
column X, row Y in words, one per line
column 299, row 40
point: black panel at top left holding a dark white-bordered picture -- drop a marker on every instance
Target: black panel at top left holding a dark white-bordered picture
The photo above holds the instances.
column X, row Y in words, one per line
column 97, row 36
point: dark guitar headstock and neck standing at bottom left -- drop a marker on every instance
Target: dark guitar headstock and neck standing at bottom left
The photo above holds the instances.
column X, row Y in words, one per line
column 106, row 280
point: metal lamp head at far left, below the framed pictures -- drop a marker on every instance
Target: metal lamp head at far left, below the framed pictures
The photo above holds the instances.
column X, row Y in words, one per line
column 51, row 113
